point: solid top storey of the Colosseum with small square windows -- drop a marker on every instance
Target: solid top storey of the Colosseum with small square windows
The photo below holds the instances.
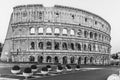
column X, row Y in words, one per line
column 59, row 14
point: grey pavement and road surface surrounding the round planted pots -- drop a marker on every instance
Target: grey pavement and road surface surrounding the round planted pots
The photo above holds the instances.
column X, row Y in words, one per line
column 85, row 73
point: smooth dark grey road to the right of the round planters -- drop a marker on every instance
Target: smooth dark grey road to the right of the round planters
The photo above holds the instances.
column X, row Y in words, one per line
column 100, row 74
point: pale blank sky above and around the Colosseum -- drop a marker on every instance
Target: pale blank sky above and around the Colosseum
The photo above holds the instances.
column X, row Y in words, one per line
column 107, row 9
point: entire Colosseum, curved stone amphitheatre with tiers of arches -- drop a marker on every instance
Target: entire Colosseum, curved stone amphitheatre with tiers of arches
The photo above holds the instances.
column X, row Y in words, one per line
column 58, row 34
